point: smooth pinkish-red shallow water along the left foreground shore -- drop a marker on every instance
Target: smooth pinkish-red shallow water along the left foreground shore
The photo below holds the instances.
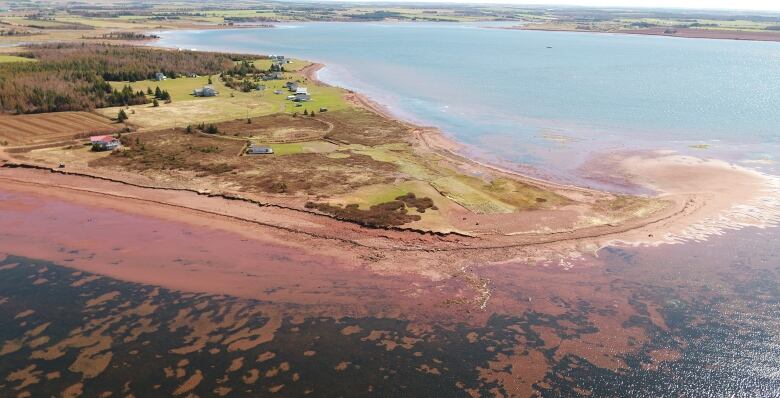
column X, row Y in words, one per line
column 185, row 257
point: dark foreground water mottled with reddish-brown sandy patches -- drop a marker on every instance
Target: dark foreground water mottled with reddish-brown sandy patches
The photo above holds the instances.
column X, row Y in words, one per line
column 695, row 319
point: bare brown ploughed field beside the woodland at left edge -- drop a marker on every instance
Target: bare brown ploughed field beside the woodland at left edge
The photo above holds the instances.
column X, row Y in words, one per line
column 50, row 127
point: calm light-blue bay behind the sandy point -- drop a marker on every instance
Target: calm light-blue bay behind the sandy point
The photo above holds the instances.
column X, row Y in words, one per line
column 512, row 98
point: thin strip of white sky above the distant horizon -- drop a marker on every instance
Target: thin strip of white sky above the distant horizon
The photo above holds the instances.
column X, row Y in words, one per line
column 767, row 5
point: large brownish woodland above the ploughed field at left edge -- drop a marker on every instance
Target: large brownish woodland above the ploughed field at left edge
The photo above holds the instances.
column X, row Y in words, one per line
column 70, row 77
